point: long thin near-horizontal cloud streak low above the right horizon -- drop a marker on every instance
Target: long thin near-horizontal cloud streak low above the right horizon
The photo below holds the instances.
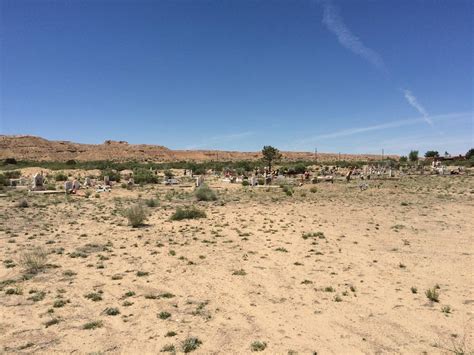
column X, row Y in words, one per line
column 393, row 124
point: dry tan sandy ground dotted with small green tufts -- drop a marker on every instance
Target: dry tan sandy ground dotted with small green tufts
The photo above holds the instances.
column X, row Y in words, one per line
column 245, row 273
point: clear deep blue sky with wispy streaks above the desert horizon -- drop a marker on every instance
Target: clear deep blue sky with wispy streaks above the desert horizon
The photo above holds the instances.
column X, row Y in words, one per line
column 340, row 76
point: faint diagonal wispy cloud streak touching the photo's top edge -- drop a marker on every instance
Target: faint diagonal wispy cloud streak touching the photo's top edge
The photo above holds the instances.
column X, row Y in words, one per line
column 334, row 23
